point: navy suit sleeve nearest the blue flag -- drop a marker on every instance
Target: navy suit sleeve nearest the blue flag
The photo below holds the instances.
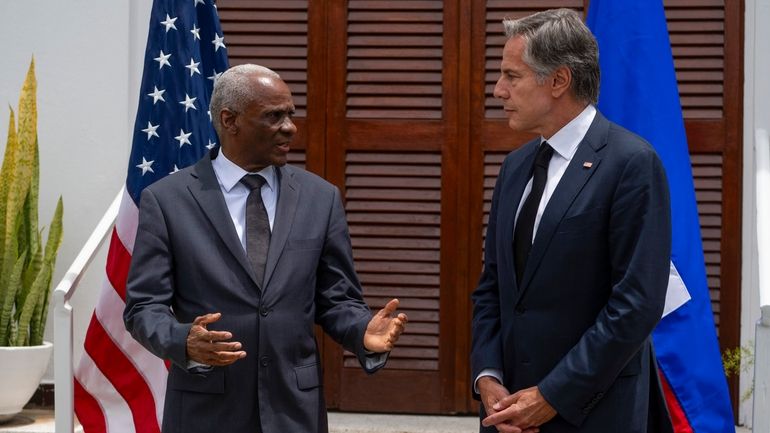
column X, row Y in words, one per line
column 639, row 236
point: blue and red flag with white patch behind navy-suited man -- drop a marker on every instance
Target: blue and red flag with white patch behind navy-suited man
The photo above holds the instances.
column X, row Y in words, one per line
column 639, row 91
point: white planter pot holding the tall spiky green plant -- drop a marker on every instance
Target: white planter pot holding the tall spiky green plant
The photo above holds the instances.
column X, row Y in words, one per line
column 21, row 369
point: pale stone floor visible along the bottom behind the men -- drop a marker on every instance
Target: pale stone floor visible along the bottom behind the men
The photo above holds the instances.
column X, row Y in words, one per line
column 41, row 421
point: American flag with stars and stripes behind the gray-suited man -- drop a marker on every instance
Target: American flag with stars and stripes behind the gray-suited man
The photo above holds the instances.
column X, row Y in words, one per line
column 119, row 385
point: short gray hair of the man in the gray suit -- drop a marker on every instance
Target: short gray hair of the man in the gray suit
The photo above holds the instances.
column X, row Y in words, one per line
column 233, row 90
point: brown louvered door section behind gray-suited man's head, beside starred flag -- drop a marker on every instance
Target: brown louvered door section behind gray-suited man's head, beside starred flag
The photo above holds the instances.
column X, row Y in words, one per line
column 274, row 33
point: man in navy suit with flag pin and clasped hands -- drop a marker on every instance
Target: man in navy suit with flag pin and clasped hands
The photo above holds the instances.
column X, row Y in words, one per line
column 577, row 251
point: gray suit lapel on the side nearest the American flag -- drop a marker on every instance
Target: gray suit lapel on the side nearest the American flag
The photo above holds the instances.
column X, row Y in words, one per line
column 208, row 194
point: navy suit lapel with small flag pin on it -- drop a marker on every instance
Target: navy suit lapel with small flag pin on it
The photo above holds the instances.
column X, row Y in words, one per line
column 572, row 182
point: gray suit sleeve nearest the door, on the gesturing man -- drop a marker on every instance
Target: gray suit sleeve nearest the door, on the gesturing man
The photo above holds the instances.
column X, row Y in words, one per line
column 340, row 307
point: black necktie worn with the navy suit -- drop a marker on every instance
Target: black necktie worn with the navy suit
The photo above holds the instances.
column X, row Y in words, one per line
column 522, row 234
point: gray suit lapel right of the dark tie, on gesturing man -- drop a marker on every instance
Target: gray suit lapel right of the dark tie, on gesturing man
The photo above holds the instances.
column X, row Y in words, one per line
column 288, row 197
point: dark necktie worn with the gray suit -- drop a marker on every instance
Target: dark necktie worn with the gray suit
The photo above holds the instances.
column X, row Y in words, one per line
column 257, row 226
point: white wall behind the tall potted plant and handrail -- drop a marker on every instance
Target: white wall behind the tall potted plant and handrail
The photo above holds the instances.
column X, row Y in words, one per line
column 88, row 63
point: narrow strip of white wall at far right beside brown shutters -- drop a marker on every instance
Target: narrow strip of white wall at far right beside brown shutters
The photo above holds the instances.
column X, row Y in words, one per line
column 756, row 115
